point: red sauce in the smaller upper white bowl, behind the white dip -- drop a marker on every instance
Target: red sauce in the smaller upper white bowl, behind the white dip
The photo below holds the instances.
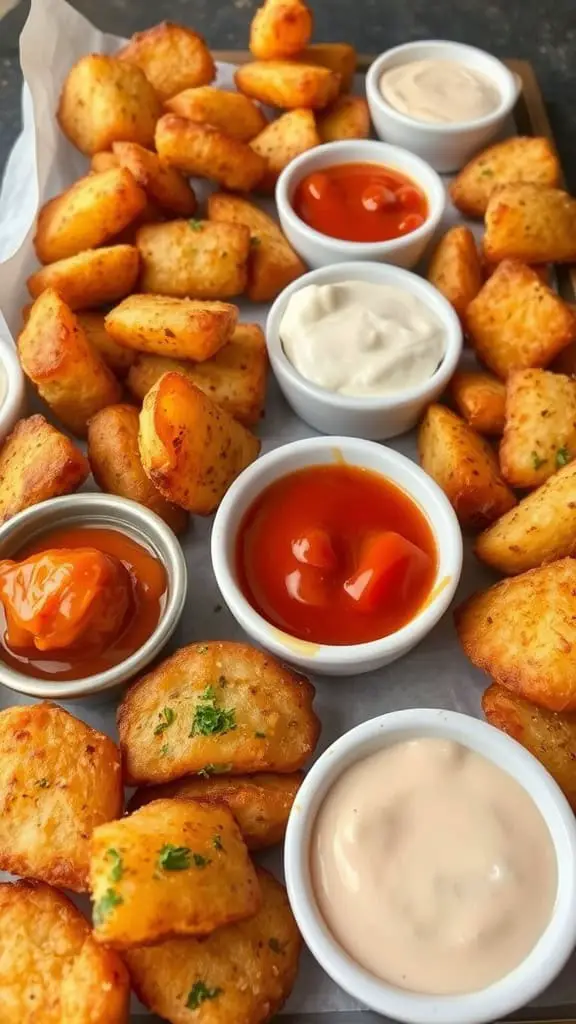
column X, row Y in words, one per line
column 361, row 203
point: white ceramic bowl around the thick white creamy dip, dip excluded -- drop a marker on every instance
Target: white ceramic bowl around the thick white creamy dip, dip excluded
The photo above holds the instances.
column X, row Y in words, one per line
column 376, row 419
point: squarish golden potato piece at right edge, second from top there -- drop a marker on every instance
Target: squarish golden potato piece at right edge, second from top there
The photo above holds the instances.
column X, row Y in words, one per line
column 530, row 224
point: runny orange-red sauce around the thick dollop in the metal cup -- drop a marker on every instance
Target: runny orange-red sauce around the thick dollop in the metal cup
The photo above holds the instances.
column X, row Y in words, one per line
column 149, row 592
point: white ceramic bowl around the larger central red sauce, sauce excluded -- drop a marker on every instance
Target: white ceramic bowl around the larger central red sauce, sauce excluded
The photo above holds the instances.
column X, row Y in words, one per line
column 325, row 659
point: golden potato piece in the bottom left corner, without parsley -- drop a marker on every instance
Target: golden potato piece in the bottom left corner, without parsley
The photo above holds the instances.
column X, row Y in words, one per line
column 52, row 971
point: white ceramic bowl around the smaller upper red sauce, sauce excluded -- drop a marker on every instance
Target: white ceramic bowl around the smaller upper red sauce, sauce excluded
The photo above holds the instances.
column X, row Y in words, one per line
column 321, row 250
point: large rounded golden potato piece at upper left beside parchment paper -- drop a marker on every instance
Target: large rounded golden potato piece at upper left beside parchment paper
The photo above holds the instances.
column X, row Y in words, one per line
column 105, row 101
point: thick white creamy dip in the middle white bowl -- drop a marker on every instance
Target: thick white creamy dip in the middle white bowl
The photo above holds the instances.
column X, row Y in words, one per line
column 361, row 339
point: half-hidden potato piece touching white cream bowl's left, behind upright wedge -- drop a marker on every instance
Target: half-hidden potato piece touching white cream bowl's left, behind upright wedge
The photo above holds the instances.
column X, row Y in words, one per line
column 235, row 378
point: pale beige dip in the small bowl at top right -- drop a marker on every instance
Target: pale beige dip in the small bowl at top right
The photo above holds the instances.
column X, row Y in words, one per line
column 440, row 92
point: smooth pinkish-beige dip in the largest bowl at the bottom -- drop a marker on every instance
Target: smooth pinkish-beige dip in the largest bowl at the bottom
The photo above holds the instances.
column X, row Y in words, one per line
column 433, row 868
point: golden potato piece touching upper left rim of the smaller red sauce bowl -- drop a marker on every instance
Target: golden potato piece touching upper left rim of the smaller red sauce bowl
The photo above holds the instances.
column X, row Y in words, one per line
column 282, row 141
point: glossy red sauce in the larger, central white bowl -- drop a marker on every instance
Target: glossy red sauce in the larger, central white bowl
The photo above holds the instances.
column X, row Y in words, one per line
column 336, row 556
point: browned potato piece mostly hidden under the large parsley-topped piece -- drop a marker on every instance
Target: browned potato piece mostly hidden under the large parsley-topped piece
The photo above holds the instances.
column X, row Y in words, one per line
column 261, row 804
